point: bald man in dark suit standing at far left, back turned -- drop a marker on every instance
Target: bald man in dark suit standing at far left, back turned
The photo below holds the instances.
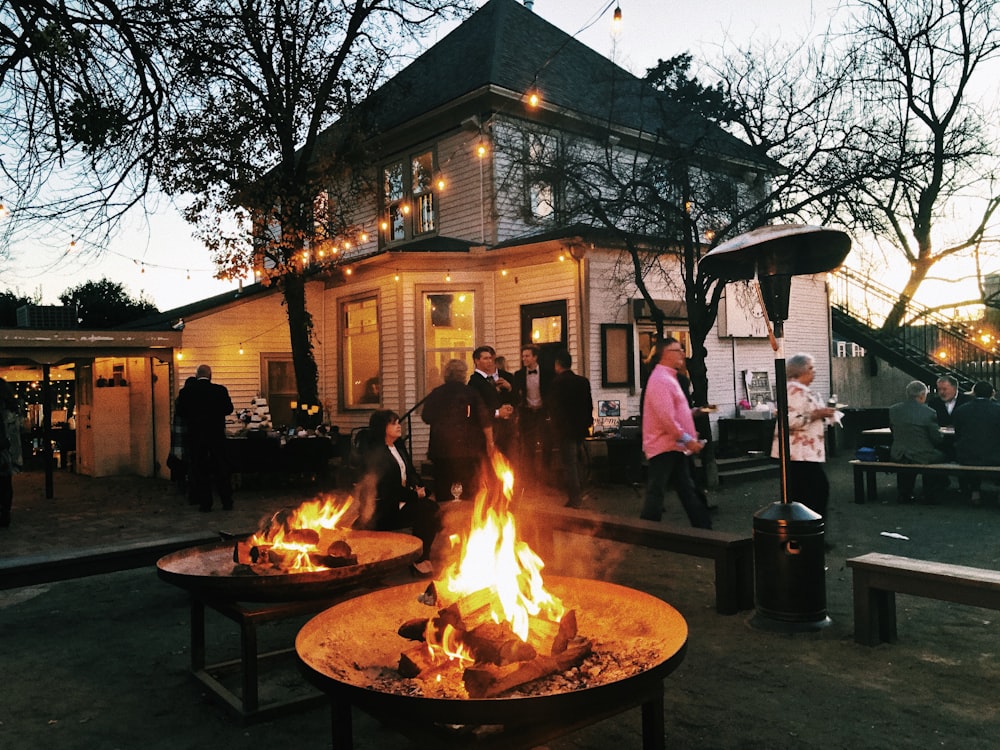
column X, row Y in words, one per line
column 203, row 405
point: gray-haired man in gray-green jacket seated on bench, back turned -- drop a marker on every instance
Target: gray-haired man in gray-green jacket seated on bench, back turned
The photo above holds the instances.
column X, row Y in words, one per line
column 916, row 439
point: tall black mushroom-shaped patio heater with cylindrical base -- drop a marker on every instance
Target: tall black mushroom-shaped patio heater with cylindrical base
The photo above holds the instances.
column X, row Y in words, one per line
column 789, row 555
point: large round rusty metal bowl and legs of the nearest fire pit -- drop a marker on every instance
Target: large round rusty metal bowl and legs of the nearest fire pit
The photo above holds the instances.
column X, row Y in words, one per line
column 351, row 652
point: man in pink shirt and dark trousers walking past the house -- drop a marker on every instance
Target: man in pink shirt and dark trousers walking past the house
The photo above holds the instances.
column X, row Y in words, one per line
column 669, row 437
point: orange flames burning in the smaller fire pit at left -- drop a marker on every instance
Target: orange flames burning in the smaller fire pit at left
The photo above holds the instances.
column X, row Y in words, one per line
column 321, row 516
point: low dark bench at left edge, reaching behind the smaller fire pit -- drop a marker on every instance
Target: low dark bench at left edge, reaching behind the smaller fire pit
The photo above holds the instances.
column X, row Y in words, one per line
column 31, row 570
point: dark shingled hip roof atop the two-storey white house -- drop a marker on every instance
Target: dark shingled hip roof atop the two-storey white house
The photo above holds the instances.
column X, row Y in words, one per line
column 507, row 46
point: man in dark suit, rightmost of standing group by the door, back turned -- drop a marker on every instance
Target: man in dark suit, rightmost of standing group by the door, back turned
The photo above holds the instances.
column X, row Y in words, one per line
column 571, row 411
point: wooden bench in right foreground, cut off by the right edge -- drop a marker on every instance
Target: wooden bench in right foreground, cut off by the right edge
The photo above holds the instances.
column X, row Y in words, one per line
column 878, row 578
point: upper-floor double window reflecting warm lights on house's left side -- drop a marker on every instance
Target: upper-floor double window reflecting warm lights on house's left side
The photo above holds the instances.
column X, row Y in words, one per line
column 408, row 198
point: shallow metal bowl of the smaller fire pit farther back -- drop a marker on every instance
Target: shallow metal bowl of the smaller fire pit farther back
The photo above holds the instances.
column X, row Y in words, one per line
column 209, row 570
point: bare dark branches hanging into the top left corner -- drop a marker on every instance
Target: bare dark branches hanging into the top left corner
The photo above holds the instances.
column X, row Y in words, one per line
column 80, row 99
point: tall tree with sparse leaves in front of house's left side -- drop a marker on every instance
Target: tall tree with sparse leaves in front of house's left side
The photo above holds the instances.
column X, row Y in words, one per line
column 262, row 83
